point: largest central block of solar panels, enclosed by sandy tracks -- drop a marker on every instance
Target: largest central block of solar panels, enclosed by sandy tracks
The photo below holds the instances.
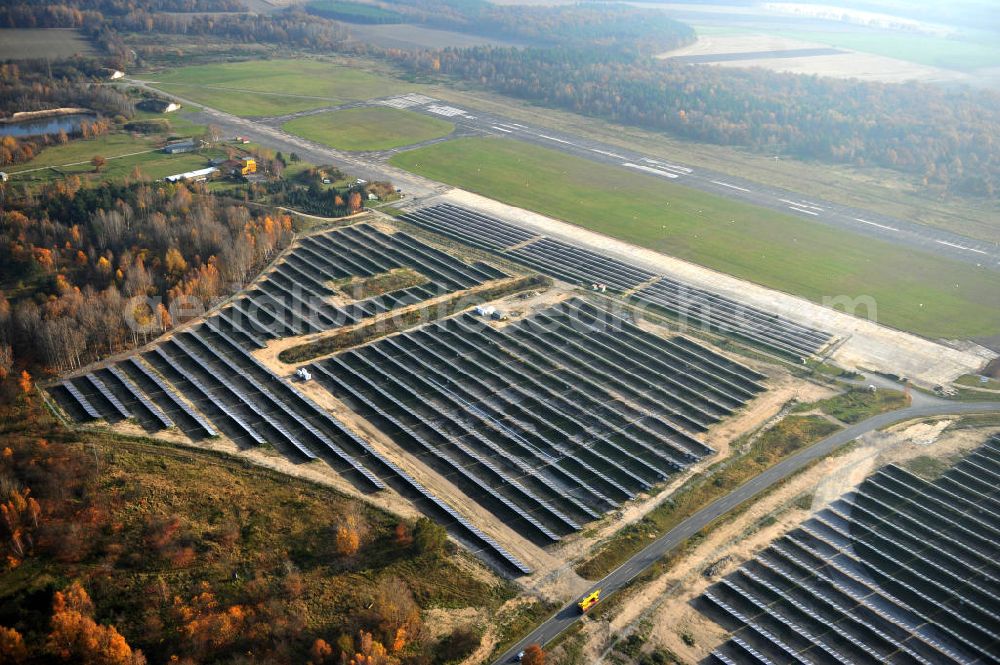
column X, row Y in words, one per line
column 548, row 422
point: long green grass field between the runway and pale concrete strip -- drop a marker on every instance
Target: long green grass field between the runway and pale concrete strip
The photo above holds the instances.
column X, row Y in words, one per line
column 918, row 292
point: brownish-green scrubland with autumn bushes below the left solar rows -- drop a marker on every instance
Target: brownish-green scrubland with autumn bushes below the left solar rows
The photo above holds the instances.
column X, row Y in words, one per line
column 147, row 526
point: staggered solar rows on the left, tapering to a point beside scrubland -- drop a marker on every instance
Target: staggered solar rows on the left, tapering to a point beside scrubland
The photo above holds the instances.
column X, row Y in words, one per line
column 207, row 371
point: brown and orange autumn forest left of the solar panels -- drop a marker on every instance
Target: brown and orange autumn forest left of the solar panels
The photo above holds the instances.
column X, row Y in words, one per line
column 93, row 271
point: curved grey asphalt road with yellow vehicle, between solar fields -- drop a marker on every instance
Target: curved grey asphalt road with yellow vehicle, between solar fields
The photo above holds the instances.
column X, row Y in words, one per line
column 922, row 407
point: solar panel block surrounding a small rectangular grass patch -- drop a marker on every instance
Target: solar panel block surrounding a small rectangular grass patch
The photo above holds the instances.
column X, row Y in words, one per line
column 293, row 298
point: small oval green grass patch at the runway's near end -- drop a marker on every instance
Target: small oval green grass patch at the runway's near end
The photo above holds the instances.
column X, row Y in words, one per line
column 377, row 128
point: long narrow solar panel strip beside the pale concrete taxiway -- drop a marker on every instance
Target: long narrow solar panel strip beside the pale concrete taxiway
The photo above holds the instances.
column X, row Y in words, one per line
column 572, row 264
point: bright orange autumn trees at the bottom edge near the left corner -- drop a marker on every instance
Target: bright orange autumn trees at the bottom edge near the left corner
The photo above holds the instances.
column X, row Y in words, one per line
column 76, row 637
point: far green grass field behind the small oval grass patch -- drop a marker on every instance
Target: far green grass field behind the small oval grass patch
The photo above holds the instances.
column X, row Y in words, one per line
column 273, row 87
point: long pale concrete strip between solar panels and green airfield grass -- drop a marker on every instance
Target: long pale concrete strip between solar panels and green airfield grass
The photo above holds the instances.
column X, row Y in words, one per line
column 867, row 344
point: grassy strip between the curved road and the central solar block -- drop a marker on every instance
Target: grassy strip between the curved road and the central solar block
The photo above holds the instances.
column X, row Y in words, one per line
column 790, row 435
